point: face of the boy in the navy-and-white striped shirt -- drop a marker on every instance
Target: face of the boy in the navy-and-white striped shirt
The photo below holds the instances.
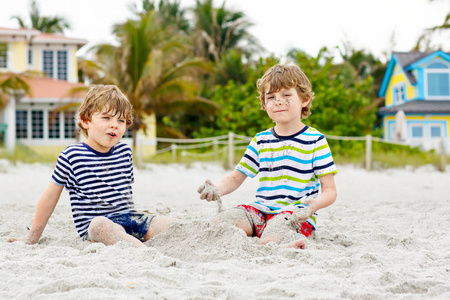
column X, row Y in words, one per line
column 104, row 130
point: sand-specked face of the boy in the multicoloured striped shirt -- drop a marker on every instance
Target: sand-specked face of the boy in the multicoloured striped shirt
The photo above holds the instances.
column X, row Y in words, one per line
column 285, row 106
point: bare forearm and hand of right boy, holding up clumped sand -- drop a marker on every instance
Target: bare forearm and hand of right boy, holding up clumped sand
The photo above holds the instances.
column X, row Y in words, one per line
column 226, row 185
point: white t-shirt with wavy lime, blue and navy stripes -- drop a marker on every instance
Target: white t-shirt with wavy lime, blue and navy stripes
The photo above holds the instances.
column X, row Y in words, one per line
column 289, row 168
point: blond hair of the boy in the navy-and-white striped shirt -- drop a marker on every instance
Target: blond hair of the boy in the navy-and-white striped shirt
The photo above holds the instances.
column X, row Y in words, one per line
column 100, row 97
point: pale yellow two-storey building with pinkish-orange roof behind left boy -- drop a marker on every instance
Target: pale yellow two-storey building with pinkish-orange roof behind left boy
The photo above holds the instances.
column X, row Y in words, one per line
column 34, row 120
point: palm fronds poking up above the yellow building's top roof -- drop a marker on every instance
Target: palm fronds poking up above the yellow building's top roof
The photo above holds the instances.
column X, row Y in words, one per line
column 42, row 23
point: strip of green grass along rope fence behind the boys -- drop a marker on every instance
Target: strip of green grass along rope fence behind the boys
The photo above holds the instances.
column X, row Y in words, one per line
column 344, row 152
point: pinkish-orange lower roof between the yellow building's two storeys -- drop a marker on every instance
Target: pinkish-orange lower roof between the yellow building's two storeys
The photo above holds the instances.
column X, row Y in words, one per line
column 42, row 87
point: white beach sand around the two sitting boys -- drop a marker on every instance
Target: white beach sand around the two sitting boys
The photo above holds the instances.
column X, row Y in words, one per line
column 386, row 237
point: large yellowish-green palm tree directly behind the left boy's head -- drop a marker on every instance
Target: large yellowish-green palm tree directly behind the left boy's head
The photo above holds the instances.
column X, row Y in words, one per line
column 151, row 67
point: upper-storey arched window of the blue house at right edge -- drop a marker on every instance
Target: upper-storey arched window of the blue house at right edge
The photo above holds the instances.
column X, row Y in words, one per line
column 438, row 80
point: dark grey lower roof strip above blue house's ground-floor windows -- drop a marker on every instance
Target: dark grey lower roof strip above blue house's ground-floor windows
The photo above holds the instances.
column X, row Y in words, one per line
column 419, row 106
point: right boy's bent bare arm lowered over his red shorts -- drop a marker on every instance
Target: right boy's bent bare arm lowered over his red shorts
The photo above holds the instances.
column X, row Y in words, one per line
column 327, row 197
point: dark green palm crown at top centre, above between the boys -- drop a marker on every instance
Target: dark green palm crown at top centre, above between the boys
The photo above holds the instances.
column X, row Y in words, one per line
column 217, row 30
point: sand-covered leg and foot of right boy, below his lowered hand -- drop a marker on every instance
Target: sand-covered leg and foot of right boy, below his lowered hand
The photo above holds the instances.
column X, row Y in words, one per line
column 276, row 228
